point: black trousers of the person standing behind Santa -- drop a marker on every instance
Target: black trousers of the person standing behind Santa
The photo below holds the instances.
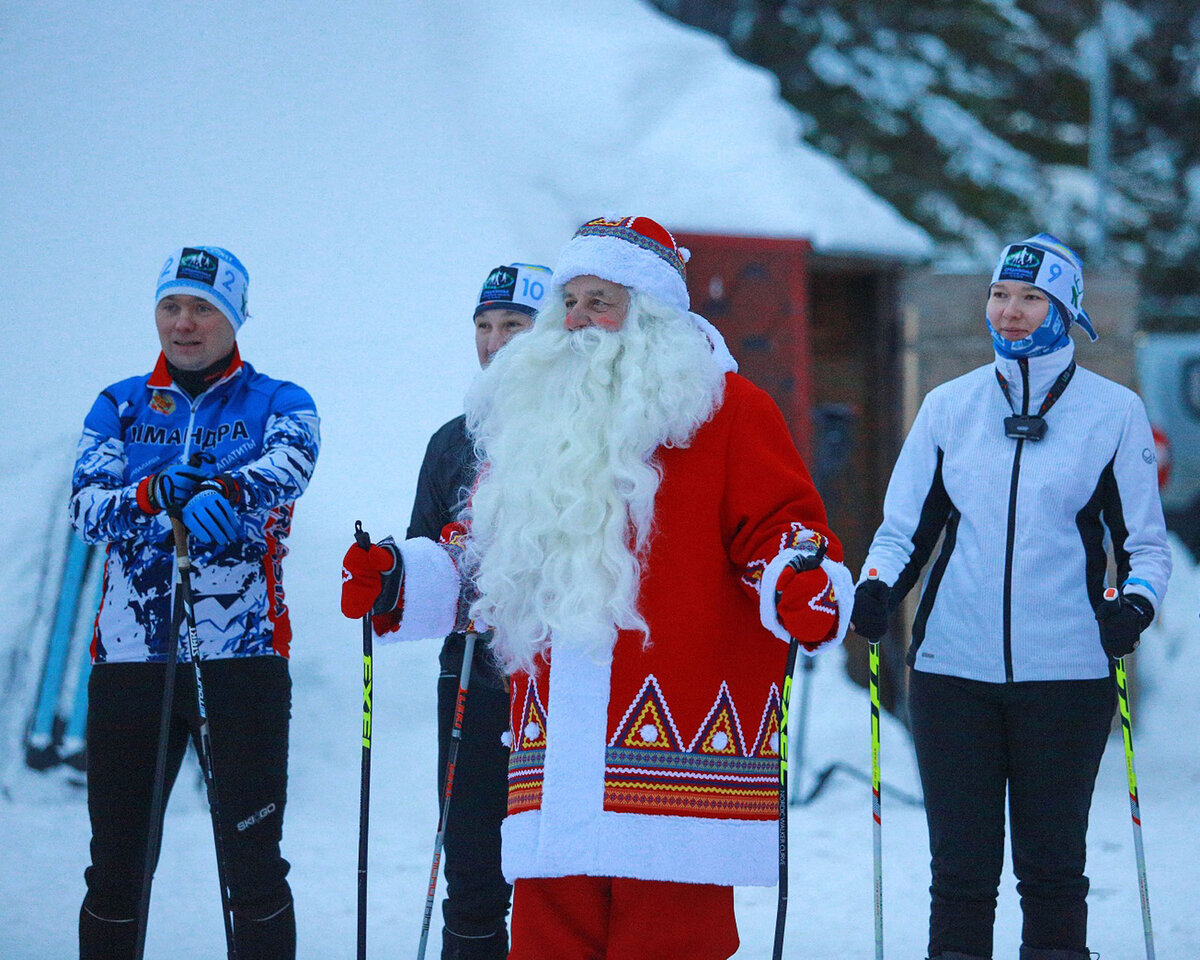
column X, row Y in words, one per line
column 477, row 896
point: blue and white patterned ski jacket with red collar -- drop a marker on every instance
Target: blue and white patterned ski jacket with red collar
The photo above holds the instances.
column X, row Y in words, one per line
column 266, row 434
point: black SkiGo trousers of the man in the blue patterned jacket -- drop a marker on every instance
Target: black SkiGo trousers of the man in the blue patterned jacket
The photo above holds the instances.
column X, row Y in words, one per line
column 249, row 704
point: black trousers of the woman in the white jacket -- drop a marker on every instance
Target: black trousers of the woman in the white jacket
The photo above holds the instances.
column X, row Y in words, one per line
column 1040, row 741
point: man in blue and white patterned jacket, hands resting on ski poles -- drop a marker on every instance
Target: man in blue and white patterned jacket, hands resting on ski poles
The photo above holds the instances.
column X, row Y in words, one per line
column 229, row 451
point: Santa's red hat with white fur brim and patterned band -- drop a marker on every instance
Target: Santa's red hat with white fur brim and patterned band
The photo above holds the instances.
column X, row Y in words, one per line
column 635, row 253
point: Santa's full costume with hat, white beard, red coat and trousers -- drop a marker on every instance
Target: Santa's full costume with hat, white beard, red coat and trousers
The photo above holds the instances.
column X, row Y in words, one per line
column 627, row 542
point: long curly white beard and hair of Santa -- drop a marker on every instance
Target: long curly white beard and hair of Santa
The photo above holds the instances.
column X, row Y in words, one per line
column 568, row 425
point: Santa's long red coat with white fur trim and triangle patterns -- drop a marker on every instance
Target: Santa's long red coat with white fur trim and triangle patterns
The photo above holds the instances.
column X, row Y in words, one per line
column 664, row 764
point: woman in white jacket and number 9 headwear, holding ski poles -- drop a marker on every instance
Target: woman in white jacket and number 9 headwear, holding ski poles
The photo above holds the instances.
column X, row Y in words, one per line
column 1029, row 471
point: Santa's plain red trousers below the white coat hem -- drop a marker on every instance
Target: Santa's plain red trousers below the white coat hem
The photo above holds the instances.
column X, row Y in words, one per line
column 615, row 919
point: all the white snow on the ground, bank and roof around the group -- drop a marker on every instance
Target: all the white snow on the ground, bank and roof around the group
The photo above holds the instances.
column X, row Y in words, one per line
column 370, row 171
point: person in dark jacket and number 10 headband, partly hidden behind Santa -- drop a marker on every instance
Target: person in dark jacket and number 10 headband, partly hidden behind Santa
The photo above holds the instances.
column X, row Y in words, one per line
column 477, row 895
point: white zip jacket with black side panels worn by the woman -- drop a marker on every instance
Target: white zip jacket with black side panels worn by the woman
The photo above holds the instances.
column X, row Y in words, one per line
column 1028, row 525
